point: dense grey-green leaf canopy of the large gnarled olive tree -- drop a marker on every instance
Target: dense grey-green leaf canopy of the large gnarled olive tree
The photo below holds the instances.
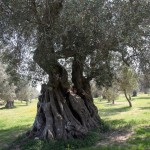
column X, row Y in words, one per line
column 94, row 31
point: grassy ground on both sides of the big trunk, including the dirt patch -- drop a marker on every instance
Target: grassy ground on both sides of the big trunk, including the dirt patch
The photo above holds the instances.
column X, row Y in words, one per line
column 129, row 127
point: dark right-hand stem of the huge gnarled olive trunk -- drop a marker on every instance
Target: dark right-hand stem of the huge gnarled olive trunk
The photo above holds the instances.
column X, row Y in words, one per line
column 83, row 87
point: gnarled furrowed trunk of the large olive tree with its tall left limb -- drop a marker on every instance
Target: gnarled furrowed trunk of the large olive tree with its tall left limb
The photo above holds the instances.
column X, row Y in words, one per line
column 61, row 112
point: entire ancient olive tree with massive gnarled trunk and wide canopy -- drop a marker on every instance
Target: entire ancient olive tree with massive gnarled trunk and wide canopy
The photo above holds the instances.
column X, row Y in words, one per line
column 83, row 34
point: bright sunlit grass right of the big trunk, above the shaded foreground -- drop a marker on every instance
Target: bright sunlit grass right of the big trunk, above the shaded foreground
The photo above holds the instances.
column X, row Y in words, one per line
column 139, row 114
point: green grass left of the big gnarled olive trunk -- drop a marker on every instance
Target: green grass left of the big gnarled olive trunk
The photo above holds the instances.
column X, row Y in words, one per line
column 15, row 121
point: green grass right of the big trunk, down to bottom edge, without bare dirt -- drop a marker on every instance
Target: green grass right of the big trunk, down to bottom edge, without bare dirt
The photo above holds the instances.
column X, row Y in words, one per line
column 121, row 117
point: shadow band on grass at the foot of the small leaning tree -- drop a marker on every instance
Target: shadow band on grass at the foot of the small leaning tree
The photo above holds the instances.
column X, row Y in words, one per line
column 113, row 111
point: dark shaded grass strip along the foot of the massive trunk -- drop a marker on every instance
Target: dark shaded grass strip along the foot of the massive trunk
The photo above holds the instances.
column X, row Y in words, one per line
column 25, row 143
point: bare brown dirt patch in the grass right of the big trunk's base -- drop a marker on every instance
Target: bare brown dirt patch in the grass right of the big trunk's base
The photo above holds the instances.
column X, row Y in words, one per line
column 115, row 137
